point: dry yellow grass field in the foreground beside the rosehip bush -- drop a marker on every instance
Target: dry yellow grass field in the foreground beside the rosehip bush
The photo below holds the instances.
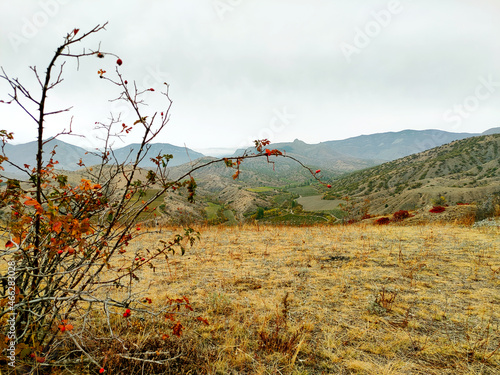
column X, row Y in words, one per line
column 323, row 300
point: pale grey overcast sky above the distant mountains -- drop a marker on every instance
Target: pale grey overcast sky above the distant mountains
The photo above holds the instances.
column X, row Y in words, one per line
column 239, row 70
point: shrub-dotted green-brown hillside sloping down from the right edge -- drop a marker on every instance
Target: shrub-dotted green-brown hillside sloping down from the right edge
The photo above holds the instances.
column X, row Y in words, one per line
column 462, row 171
